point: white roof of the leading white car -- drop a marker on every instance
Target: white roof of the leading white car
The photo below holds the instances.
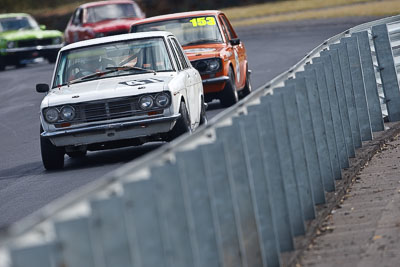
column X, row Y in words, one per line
column 114, row 38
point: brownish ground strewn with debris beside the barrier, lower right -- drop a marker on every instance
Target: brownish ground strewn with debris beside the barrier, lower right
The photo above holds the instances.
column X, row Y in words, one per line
column 363, row 228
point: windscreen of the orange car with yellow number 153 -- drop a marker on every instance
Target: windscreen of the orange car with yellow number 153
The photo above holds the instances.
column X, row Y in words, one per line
column 189, row 31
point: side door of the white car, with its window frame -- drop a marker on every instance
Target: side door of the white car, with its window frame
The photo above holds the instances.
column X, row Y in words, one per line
column 192, row 90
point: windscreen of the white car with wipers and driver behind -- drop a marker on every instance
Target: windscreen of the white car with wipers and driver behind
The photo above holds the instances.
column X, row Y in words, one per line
column 104, row 60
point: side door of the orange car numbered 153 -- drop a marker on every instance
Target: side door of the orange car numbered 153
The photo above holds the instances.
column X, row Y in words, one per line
column 238, row 52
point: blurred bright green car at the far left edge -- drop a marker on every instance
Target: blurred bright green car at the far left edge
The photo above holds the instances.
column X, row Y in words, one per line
column 22, row 40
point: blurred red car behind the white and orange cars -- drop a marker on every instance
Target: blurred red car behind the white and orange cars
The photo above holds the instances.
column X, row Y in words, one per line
column 103, row 18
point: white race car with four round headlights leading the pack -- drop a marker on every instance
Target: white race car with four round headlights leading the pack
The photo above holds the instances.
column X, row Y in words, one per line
column 118, row 91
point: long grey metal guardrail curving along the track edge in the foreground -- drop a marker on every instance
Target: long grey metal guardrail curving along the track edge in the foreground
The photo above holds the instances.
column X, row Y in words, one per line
column 236, row 192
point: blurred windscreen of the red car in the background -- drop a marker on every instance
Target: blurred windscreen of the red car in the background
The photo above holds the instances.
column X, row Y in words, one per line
column 106, row 12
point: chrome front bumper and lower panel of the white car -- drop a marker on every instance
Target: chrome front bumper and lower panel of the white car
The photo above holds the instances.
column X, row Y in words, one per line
column 111, row 131
